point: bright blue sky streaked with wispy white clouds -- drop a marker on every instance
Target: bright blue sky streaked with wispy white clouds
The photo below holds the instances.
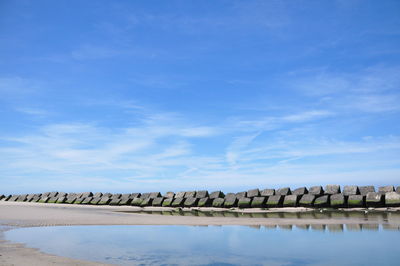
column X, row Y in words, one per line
column 128, row 96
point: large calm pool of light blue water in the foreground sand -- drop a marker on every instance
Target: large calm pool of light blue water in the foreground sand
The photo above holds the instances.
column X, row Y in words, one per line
column 218, row 245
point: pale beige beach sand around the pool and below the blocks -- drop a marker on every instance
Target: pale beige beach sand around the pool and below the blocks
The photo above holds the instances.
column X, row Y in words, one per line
column 22, row 214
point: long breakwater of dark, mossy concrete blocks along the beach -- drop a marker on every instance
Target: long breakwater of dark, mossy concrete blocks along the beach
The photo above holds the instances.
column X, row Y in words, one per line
column 330, row 196
